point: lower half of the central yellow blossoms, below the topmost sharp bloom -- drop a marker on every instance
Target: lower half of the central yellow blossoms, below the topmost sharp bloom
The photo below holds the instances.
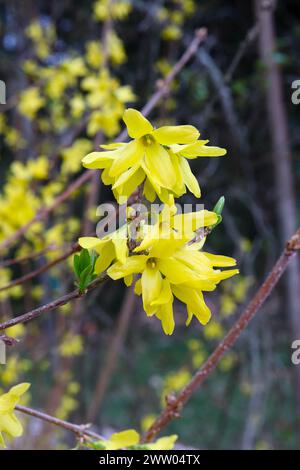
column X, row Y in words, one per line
column 167, row 263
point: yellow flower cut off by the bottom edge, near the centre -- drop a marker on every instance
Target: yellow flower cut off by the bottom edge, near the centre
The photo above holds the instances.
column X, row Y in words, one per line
column 131, row 439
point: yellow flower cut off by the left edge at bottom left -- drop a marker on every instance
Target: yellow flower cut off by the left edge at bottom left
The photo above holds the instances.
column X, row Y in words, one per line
column 9, row 423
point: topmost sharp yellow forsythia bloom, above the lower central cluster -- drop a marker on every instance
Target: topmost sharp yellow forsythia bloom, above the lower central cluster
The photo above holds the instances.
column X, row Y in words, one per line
column 157, row 157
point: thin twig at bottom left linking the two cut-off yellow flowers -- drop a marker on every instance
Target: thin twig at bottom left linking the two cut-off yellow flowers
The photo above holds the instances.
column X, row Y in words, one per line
column 79, row 429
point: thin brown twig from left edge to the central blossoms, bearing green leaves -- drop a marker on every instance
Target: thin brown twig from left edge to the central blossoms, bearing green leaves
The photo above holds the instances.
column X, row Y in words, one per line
column 37, row 312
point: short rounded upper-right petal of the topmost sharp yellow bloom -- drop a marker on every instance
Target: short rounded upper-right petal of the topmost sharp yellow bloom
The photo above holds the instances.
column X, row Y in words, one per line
column 169, row 135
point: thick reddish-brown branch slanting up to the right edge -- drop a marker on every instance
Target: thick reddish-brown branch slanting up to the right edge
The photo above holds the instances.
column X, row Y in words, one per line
column 175, row 404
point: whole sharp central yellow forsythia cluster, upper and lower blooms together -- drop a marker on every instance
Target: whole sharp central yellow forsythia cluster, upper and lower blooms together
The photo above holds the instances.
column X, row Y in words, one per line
column 165, row 260
